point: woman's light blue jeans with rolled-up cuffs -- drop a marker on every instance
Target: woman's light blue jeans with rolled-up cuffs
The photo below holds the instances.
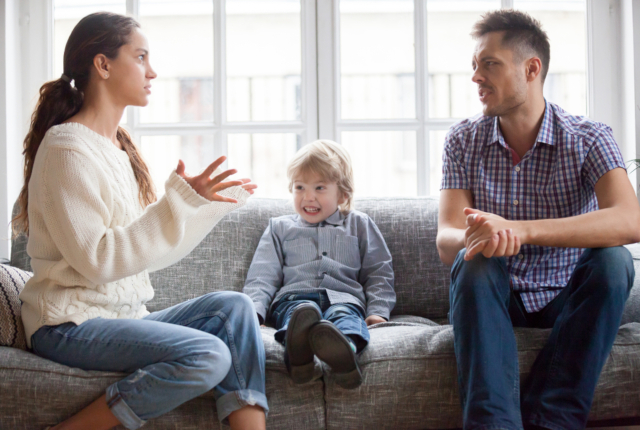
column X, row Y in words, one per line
column 210, row 342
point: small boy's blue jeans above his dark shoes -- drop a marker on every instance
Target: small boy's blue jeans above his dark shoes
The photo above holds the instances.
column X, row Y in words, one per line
column 348, row 318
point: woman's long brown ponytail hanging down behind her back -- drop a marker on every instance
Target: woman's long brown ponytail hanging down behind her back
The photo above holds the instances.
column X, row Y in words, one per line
column 58, row 102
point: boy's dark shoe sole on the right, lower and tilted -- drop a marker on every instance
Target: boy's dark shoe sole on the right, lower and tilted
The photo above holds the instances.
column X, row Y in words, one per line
column 332, row 347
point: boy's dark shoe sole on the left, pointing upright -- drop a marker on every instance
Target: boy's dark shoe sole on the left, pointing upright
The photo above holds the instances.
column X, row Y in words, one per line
column 298, row 352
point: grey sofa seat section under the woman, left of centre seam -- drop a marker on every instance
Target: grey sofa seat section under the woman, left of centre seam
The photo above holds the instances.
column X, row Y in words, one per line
column 35, row 393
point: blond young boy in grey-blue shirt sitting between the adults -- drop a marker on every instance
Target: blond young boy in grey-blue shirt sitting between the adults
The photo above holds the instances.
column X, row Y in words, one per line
column 328, row 267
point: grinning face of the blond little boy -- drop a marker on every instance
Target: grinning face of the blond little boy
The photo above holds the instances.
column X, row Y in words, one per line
column 314, row 198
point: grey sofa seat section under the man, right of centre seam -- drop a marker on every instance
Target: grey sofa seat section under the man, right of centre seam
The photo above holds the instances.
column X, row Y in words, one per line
column 410, row 379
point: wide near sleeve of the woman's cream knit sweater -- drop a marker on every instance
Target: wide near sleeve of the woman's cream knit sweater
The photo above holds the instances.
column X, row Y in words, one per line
column 75, row 195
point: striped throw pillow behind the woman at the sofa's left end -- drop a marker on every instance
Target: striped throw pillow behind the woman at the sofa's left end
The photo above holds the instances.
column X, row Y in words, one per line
column 12, row 281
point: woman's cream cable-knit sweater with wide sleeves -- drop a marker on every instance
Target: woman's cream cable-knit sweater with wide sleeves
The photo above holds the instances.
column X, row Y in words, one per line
column 90, row 241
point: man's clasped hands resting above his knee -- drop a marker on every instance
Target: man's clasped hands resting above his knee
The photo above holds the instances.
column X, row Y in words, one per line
column 491, row 235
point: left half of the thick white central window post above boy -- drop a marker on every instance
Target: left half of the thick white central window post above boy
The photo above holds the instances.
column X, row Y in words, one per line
column 309, row 96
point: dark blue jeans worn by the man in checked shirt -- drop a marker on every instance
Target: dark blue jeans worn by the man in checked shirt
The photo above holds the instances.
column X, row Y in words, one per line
column 584, row 319
